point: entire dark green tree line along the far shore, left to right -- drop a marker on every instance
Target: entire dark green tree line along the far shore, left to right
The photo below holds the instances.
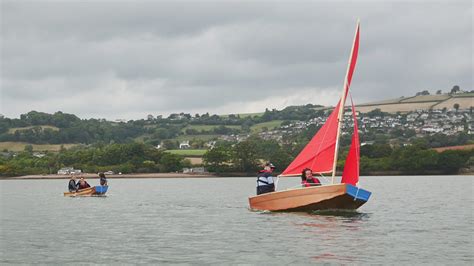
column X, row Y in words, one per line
column 244, row 157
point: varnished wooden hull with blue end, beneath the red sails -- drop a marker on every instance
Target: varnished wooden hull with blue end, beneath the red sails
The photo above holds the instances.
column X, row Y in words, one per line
column 330, row 197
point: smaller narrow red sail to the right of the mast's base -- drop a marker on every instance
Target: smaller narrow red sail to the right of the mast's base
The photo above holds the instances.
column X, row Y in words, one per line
column 351, row 169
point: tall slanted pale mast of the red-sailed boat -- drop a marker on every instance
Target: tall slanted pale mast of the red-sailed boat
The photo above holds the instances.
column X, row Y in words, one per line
column 343, row 100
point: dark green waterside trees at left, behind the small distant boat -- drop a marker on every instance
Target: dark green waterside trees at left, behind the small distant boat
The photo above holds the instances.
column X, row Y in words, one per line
column 125, row 158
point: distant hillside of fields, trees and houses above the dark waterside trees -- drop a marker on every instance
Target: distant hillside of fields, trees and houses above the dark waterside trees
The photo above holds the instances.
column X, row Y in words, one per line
column 50, row 131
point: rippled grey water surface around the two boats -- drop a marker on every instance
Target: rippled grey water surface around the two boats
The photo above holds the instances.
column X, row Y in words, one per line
column 408, row 220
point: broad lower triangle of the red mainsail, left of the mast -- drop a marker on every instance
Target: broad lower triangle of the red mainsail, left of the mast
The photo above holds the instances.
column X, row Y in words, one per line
column 318, row 155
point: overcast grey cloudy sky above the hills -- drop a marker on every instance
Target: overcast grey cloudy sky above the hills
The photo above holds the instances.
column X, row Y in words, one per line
column 127, row 59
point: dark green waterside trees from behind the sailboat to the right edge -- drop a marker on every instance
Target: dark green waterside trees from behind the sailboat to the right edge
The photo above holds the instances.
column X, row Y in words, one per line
column 416, row 158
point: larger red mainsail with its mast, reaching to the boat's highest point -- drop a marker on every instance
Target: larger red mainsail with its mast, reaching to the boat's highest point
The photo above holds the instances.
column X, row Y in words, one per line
column 320, row 154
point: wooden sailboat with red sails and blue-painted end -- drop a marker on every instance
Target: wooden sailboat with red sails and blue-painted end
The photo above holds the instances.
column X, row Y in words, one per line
column 320, row 155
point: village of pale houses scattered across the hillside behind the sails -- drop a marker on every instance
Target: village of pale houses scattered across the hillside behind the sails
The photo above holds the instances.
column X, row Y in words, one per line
column 416, row 116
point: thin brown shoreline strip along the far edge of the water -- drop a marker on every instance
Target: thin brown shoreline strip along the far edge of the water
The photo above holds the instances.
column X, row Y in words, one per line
column 181, row 175
